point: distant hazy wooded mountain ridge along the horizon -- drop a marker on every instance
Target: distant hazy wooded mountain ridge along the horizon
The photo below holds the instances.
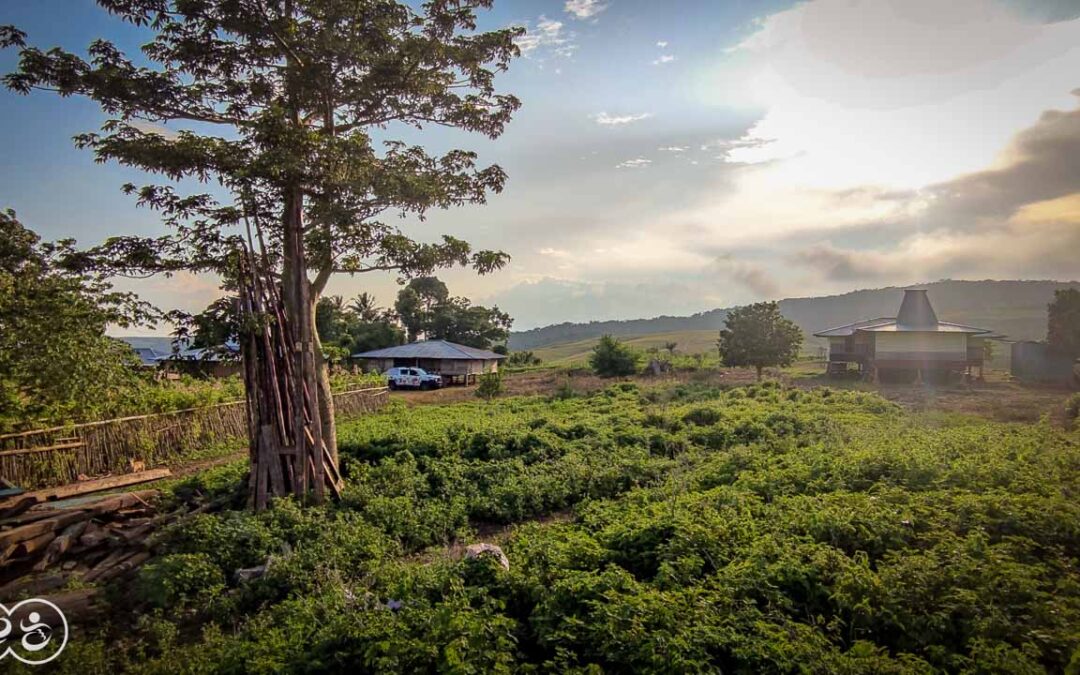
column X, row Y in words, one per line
column 1016, row 308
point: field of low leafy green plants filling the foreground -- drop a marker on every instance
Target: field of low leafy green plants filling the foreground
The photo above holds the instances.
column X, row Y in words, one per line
column 751, row 531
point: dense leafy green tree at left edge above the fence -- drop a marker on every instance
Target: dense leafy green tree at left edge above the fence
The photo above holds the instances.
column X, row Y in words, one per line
column 56, row 360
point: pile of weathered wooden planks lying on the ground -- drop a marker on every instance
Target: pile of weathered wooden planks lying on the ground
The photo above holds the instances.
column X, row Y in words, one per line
column 49, row 537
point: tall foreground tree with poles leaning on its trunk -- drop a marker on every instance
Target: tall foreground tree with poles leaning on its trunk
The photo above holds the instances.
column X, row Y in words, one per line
column 291, row 107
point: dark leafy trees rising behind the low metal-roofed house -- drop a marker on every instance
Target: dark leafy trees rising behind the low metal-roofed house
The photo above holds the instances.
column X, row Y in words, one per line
column 427, row 310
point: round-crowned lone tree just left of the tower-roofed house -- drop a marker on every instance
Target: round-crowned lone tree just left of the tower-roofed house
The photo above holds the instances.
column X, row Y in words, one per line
column 760, row 336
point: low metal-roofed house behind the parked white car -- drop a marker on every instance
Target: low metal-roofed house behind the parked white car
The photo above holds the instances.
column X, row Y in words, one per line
column 455, row 363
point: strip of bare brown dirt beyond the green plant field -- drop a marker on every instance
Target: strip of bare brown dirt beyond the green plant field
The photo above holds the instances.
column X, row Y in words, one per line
column 998, row 399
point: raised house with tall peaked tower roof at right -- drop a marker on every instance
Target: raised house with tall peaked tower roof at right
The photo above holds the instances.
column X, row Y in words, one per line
column 914, row 344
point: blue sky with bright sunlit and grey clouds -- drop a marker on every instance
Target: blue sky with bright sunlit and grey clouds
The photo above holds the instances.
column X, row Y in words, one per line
column 677, row 157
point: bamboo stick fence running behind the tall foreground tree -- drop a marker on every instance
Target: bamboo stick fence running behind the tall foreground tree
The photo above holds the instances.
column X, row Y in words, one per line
column 60, row 455
